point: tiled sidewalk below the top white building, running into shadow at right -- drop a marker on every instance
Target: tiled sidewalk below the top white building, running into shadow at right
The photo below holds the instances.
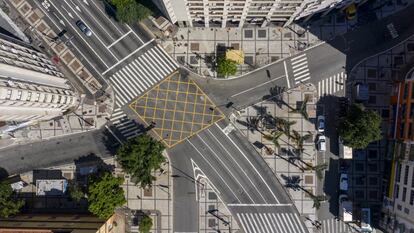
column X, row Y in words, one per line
column 195, row 48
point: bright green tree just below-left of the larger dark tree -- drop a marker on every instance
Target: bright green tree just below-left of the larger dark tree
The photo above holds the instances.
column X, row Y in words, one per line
column 105, row 194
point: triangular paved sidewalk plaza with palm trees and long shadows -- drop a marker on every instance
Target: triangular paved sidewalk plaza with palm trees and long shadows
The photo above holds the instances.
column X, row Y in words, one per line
column 282, row 160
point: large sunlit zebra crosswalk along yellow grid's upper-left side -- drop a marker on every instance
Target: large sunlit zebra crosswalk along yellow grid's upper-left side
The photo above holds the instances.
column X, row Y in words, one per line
column 141, row 74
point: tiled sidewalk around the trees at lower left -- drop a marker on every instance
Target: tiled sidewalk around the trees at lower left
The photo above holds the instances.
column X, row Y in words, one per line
column 156, row 201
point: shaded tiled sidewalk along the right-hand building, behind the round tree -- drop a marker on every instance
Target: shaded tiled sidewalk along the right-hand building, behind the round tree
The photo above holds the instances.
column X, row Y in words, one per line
column 367, row 167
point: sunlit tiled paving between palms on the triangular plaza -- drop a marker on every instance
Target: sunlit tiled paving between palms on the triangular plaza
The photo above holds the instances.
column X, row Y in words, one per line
column 280, row 164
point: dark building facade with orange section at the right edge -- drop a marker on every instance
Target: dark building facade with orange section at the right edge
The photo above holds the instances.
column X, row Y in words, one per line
column 398, row 207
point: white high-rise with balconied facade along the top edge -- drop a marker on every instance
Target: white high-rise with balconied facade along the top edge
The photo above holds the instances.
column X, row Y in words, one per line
column 239, row 13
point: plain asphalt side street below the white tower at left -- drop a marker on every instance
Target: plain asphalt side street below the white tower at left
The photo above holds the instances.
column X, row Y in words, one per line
column 60, row 150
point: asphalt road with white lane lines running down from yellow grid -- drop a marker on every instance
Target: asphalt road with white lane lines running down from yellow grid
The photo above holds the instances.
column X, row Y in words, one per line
column 239, row 176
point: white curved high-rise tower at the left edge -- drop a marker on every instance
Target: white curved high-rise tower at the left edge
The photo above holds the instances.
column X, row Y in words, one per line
column 31, row 87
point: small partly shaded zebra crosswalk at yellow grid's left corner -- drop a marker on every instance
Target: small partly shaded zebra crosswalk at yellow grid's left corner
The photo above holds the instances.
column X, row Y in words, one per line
column 126, row 127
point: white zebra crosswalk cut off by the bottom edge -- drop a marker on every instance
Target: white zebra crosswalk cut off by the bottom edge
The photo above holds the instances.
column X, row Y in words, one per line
column 270, row 222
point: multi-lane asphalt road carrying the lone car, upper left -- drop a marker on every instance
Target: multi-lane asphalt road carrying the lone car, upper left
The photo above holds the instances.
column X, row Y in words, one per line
column 111, row 44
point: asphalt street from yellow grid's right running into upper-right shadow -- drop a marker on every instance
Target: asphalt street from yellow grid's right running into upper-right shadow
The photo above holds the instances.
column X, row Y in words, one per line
column 340, row 54
